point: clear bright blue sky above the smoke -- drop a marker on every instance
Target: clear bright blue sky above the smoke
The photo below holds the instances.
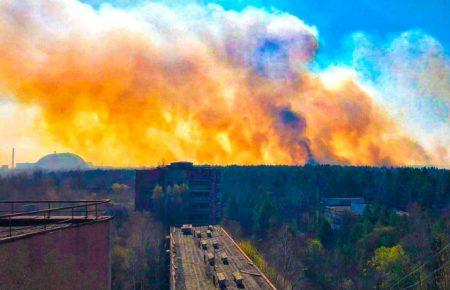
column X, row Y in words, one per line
column 337, row 19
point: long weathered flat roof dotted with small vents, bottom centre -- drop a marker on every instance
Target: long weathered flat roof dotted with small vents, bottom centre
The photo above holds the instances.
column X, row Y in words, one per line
column 190, row 271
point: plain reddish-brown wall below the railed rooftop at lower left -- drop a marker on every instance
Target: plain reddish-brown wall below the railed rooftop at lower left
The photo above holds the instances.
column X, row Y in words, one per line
column 77, row 257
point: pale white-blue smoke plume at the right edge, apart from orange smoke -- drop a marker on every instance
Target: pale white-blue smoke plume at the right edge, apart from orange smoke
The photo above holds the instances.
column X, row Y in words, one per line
column 412, row 74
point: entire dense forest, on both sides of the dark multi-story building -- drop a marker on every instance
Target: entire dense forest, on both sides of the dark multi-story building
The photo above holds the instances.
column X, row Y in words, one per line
column 276, row 213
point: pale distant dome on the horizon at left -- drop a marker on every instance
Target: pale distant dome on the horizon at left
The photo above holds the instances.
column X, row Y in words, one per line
column 62, row 161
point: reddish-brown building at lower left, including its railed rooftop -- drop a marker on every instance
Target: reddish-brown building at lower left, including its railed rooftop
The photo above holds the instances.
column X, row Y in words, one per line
column 55, row 244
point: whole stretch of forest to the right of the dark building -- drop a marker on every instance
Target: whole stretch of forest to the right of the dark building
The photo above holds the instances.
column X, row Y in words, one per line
column 278, row 211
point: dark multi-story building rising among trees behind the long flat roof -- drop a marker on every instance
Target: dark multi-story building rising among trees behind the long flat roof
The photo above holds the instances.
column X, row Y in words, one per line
column 197, row 188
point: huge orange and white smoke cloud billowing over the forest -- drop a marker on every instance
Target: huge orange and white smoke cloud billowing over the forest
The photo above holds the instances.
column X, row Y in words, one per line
column 199, row 83
